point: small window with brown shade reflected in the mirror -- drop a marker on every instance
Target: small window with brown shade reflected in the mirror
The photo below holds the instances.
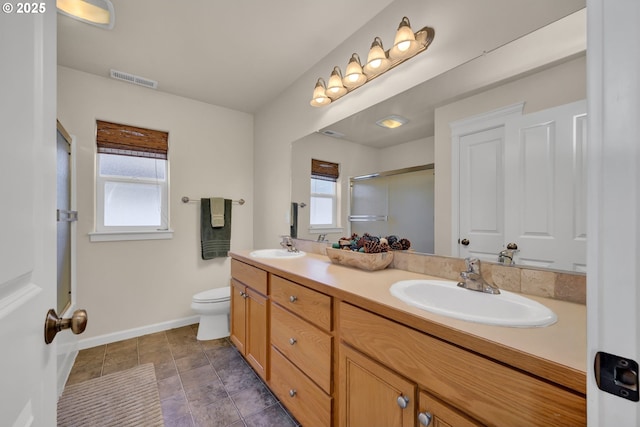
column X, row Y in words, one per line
column 323, row 205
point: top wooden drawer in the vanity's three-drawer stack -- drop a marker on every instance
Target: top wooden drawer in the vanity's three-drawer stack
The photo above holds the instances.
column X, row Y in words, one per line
column 305, row 302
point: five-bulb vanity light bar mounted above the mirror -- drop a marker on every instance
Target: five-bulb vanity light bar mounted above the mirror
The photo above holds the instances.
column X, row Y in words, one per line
column 406, row 45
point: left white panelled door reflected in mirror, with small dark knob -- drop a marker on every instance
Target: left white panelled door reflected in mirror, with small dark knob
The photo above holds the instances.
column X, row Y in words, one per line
column 482, row 193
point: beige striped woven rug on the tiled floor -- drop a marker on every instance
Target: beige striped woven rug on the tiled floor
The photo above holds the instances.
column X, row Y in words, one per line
column 126, row 398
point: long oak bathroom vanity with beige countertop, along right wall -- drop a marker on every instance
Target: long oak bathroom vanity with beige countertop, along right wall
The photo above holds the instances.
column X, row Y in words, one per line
column 338, row 349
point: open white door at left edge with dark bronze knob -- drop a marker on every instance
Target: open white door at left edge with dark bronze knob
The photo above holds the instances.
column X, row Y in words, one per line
column 27, row 215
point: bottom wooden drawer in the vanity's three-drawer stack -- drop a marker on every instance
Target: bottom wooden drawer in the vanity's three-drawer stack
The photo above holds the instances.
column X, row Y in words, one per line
column 306, row 401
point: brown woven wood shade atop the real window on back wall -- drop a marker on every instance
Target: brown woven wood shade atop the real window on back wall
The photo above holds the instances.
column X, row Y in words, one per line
column 113, row 138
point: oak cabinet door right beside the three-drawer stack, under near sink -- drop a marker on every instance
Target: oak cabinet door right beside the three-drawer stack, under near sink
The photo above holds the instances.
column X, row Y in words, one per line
column 372, row 395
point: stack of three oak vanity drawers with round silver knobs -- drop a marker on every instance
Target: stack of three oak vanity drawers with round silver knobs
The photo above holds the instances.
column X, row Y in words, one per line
column 301, row 351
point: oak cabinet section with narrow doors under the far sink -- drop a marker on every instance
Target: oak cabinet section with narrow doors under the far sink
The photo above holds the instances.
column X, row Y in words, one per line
column 250, row 315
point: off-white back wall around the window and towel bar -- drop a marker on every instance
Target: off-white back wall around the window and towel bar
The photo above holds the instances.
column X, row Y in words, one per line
column 134, row 284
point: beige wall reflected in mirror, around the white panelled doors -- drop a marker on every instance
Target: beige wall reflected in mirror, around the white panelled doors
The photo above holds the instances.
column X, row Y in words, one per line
column 556, row 86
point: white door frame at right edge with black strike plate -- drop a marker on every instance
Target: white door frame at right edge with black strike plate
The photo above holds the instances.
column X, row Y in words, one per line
column 613, row 276
